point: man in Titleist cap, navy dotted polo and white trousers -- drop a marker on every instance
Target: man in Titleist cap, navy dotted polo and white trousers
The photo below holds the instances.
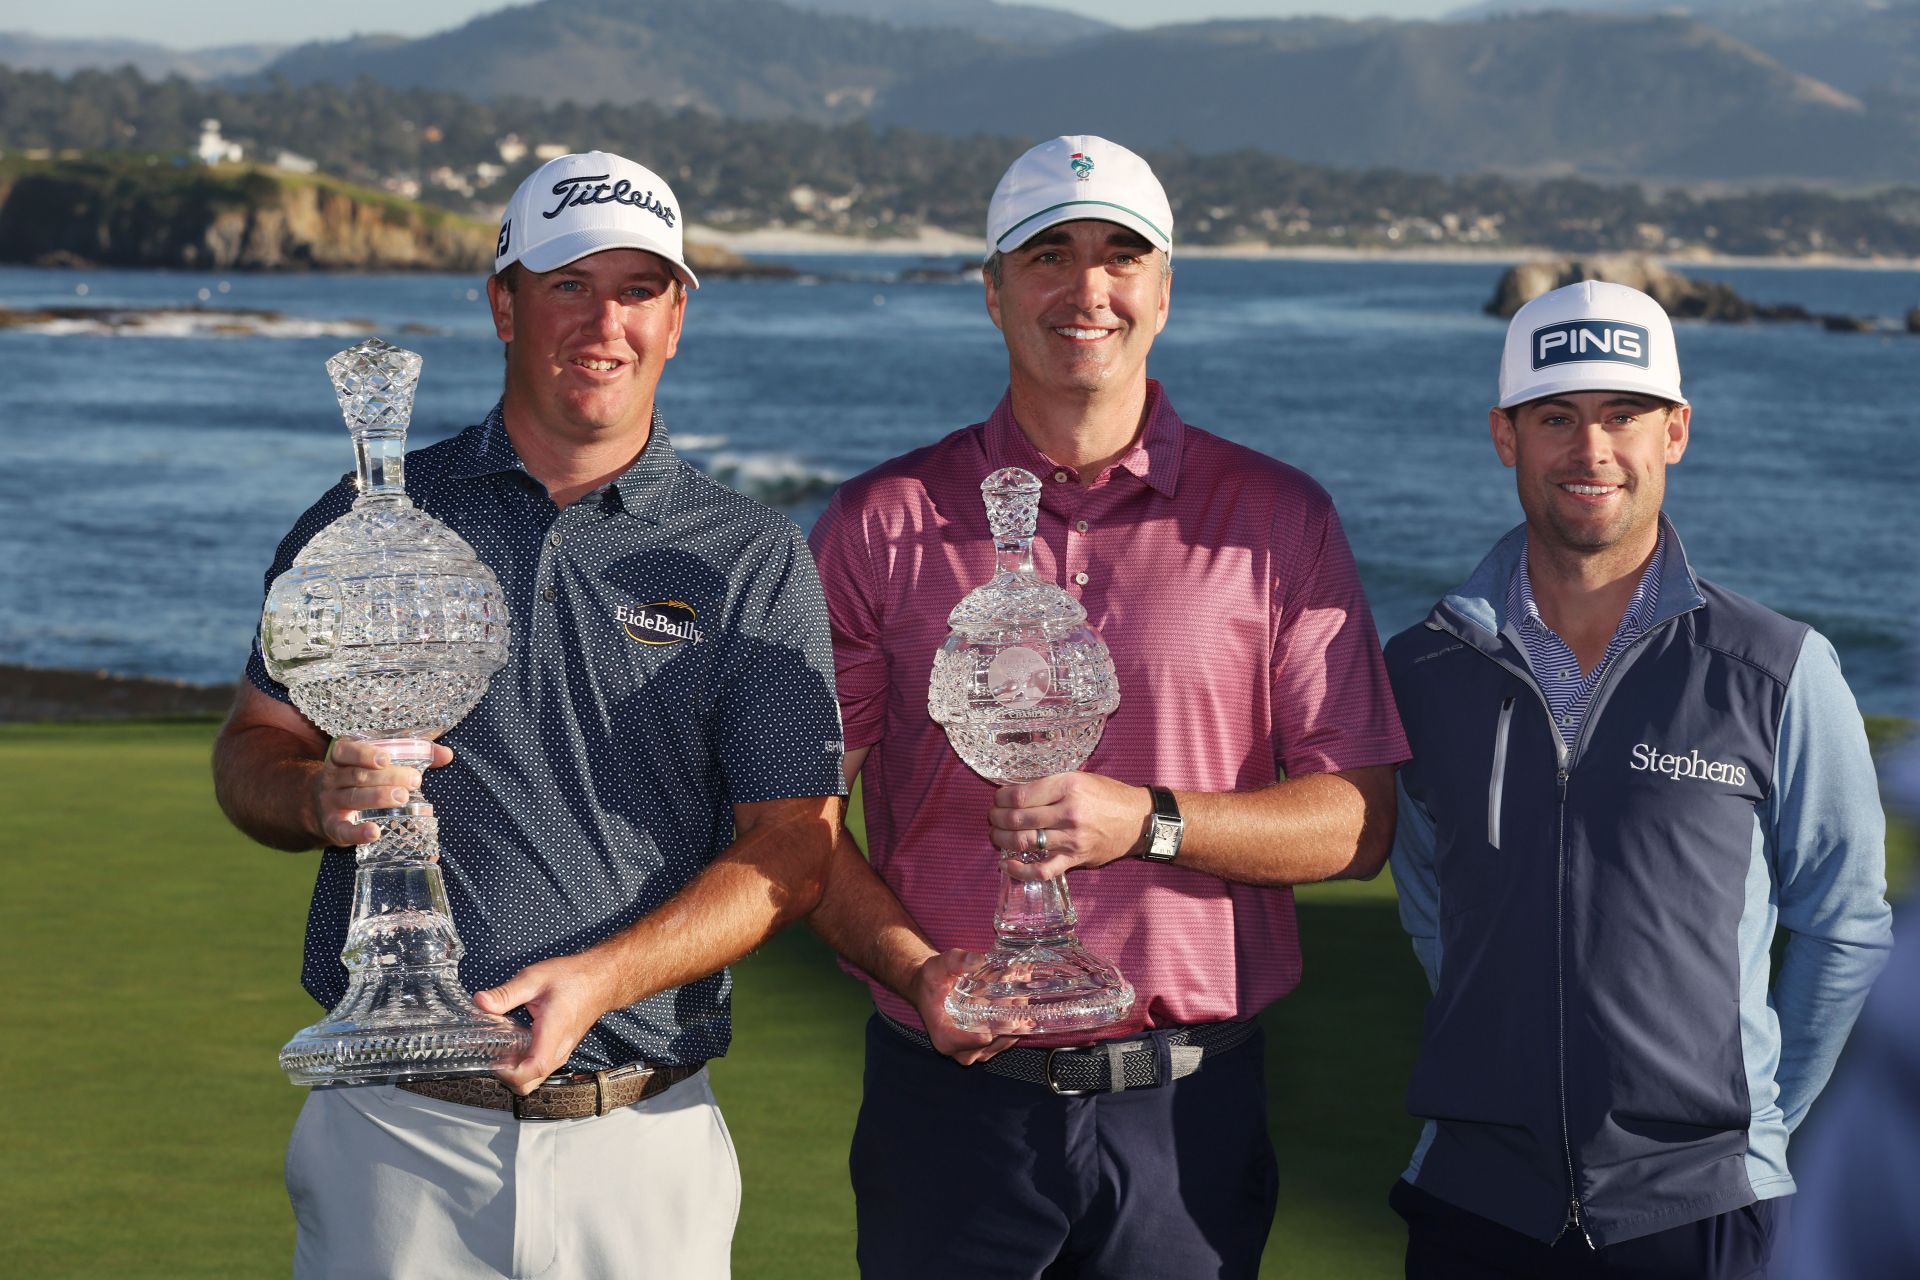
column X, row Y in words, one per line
column 627, row 811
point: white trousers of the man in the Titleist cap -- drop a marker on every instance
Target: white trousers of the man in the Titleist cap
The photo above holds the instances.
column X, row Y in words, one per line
column 391, row 1185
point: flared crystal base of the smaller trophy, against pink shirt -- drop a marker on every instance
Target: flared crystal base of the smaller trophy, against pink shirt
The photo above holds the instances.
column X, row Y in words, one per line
column 1040, row 987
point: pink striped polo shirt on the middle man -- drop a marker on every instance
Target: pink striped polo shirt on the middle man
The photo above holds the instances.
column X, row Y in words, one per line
column 1226, row 590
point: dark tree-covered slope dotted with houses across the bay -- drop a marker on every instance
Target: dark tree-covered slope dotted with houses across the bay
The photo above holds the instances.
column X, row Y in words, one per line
column 857, row 181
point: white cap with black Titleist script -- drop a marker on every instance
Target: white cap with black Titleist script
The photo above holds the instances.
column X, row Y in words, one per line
column 588, row 202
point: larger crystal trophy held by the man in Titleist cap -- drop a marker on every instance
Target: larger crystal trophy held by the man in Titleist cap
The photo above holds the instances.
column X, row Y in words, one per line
column 387, row 630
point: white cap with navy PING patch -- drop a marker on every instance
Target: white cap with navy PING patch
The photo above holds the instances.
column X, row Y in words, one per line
column 1591, row 337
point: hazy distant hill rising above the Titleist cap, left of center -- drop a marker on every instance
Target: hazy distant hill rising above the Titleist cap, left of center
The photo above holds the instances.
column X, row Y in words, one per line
column 744, row 59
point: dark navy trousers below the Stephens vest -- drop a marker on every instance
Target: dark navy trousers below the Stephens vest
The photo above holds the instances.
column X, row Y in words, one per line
column 1447, row 1243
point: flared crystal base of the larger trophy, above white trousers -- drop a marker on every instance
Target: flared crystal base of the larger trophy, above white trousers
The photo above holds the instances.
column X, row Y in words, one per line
column 373, row 1039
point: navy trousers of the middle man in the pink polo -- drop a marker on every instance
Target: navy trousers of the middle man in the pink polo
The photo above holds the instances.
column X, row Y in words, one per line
column 965, row 1173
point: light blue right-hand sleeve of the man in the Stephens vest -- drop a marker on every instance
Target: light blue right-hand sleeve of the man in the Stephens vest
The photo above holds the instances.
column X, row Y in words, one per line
column 1831, row 874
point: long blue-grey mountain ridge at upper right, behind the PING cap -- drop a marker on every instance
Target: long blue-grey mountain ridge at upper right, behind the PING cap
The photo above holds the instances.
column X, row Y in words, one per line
column 1664, row 99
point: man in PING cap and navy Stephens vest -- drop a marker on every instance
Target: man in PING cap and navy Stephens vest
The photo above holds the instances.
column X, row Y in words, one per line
column 1623, row 782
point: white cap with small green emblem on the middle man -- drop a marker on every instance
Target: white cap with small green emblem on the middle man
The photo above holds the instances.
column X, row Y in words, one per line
column 1078, row 178
